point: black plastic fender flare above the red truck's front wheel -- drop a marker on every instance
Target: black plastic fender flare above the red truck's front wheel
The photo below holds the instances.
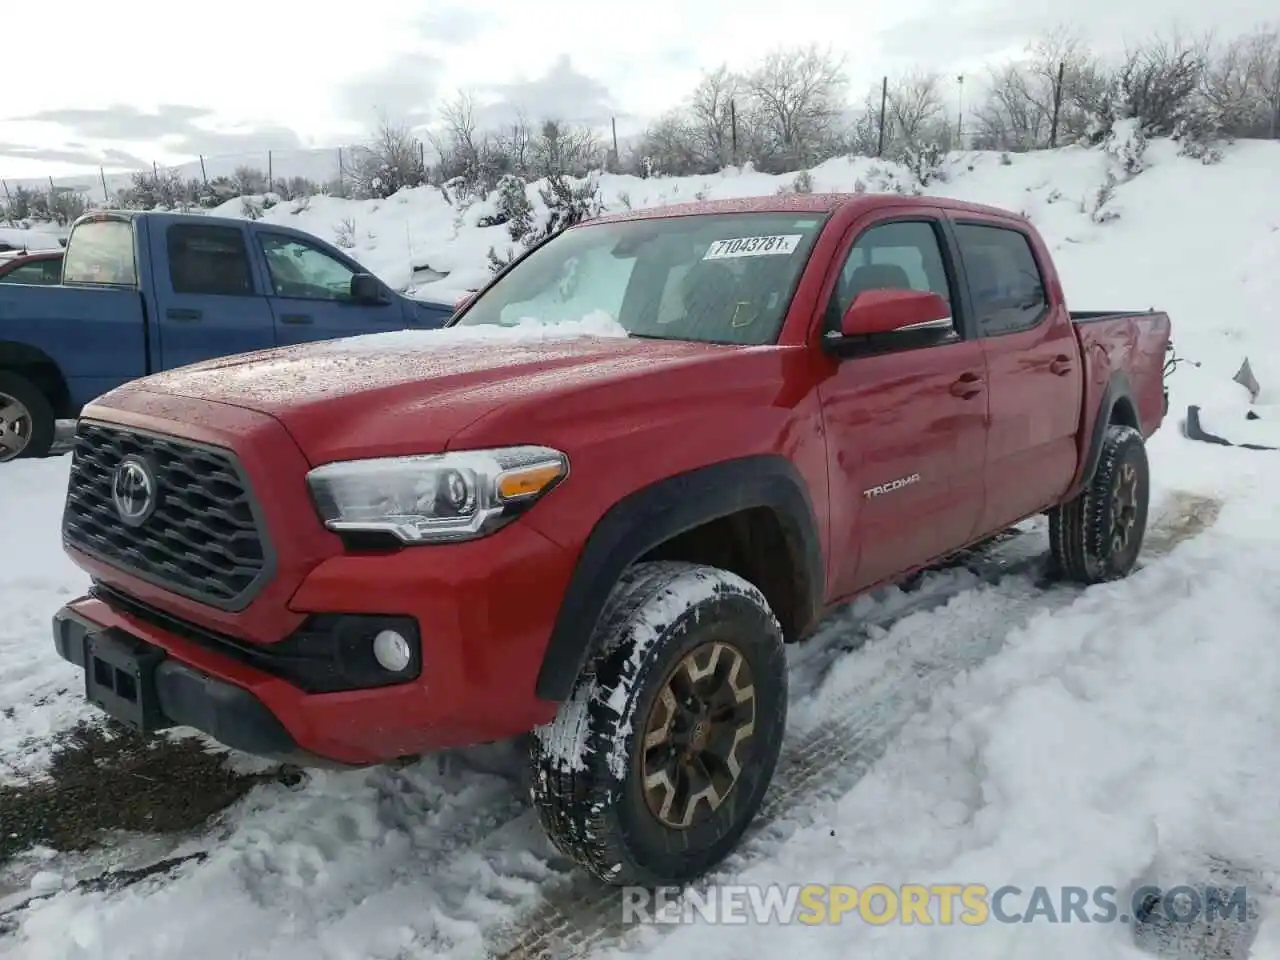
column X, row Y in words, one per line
column 656, row 514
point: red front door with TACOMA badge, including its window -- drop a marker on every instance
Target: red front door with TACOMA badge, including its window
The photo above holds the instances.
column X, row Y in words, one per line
column 907, row 426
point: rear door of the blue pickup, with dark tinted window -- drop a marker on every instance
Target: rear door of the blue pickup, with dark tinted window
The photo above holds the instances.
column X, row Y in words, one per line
column 208, row 304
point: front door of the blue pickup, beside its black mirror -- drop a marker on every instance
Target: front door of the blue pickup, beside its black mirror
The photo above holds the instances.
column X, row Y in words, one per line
column 312, row 294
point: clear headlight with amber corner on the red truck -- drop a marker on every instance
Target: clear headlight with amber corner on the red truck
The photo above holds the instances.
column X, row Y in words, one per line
column 436, row 499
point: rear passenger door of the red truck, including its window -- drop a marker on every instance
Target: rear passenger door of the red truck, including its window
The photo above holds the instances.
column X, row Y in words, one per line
column 1034, row 365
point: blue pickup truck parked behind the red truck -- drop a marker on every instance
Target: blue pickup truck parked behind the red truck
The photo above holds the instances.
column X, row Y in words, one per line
column 144, row 292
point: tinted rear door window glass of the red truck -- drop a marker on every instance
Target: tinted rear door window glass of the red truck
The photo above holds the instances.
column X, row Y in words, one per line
column 1005, row 281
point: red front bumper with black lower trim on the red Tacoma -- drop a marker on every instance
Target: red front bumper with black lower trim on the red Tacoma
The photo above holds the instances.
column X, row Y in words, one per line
column 484, row 612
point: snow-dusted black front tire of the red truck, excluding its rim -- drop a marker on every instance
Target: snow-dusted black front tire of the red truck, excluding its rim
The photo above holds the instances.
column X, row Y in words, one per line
column 588, row 765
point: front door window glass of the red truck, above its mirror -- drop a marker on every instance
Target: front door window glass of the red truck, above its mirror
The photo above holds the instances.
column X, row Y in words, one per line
column 903, row 255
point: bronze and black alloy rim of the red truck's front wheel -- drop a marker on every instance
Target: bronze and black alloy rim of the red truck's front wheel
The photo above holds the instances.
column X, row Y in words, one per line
column 697, row 735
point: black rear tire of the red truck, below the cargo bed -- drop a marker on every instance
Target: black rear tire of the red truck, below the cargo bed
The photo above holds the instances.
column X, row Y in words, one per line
column 1084, row 533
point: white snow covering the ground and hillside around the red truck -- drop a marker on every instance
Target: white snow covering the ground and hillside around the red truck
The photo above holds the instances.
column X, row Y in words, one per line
column 979, row 730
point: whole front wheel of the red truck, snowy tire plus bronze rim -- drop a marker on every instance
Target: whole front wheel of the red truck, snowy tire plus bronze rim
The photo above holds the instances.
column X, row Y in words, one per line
column 660, row 760
